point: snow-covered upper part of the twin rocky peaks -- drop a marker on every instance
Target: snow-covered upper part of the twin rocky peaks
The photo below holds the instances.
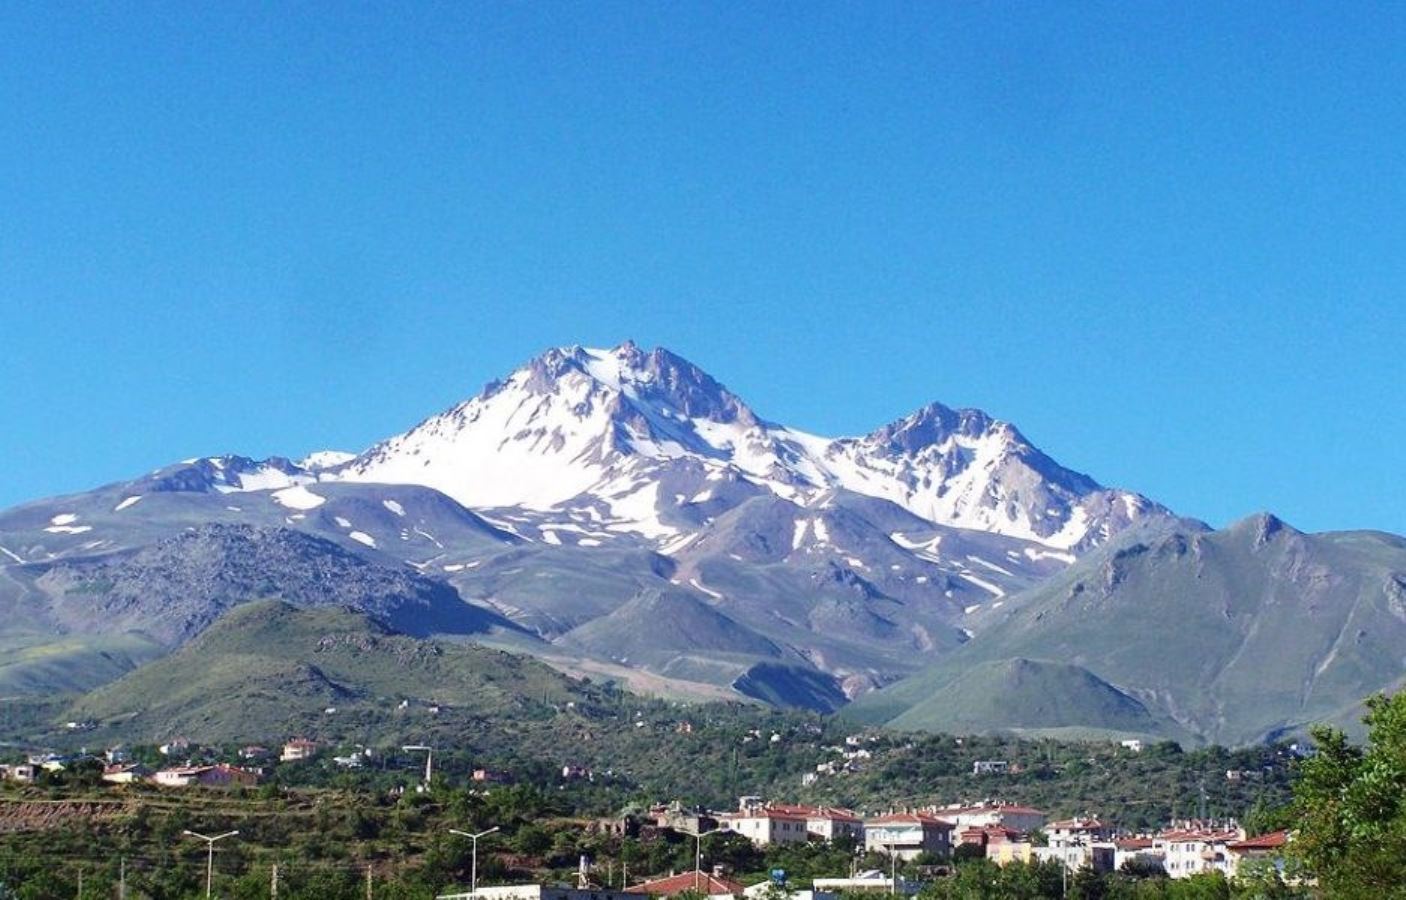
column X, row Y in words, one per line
column 633, row 438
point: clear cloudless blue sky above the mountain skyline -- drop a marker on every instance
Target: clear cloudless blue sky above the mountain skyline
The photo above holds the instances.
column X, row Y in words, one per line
column 1169, row 241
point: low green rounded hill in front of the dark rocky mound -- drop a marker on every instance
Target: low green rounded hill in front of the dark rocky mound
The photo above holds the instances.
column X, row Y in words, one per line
column 280, row 667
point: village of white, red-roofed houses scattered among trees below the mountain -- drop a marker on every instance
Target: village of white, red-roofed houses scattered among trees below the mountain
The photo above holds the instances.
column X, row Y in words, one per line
column 924, row 840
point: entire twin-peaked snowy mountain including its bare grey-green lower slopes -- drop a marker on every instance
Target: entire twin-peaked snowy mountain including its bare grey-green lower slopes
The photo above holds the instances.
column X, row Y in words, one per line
column 615, row 510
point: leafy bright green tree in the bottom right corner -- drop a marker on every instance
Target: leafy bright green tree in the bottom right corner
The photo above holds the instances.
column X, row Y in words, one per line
column 1350, row 804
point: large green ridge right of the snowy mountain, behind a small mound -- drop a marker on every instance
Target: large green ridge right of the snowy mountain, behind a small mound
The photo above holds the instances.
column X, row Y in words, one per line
column 1237, row 636
